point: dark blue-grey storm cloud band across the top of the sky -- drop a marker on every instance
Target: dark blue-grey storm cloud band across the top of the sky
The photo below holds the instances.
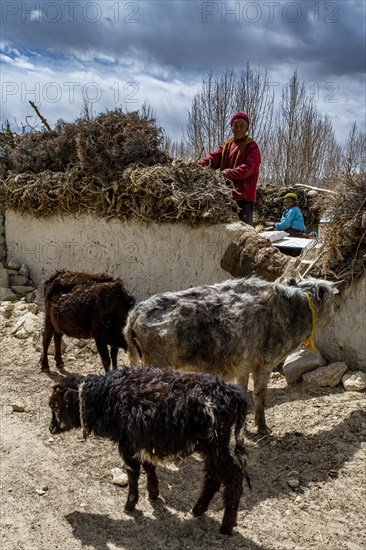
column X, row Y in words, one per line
column 327, row 38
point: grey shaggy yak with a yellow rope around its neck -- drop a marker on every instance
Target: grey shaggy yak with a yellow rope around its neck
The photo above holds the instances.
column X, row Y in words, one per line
column 231, row 329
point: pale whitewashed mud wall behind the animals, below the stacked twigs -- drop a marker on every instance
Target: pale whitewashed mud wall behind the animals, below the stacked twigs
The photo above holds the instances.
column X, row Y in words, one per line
column 149, row 258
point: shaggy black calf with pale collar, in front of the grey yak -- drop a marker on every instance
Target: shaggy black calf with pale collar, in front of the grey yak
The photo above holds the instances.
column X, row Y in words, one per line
column 158, row 415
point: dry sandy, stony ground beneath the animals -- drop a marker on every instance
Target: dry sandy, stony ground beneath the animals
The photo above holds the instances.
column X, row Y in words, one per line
column 308, row 477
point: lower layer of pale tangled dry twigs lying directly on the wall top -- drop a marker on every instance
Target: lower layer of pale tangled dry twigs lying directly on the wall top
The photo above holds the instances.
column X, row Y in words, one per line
column 164, row 193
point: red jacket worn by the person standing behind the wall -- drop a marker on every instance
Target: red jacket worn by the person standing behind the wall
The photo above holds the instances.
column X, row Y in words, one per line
column 243, row 171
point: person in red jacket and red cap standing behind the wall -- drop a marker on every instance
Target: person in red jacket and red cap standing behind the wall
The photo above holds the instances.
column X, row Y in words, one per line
column 239, row 159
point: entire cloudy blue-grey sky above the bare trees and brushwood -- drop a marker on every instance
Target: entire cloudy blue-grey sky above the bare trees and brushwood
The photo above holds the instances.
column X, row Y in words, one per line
column 124, row 53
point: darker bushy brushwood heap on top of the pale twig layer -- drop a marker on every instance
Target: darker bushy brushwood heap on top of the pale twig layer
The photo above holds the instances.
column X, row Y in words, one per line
column 102, row 147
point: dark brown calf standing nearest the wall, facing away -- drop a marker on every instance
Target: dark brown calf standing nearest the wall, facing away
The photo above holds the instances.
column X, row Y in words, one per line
column 85, row 305
